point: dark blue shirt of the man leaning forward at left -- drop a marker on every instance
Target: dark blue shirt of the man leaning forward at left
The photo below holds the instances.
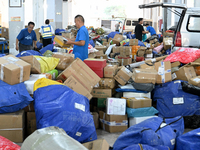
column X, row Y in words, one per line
column 26, row 38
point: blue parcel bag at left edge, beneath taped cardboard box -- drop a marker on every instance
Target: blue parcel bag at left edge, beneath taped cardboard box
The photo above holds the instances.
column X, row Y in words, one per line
column 13, row 97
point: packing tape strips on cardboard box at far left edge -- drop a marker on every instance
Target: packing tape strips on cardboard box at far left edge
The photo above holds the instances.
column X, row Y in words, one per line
column 12, row 61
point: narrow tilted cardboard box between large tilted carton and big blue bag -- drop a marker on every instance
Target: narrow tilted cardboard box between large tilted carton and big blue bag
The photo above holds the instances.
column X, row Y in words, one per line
column 73, row 84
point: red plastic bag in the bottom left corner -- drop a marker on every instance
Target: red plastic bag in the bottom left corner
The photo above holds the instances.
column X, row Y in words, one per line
column 5, row 144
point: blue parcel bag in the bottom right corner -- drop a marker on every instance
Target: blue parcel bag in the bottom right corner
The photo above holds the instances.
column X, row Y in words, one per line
column 189, row 141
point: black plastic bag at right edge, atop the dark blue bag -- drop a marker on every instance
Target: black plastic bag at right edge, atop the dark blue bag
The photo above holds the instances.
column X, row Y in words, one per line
column 190, row 88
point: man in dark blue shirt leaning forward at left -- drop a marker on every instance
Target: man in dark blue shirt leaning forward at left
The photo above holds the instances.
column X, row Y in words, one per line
column 26, row 38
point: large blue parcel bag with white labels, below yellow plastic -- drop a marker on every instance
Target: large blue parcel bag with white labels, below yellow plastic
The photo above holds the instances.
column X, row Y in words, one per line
column 58, row 105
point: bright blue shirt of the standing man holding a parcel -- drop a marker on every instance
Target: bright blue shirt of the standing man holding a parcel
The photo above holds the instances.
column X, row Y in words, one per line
column 81, row 51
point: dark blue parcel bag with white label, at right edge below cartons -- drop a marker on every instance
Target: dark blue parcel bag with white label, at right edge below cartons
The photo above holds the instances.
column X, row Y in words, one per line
column 172, row 101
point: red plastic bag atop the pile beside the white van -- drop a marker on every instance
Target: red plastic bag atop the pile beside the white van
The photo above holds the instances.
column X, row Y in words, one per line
column 184, row 55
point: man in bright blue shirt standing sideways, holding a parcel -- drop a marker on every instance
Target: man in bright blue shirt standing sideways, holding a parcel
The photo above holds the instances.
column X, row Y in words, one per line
column 80, row 49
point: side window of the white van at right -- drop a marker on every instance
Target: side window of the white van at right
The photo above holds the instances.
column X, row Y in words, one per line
column 193, row 24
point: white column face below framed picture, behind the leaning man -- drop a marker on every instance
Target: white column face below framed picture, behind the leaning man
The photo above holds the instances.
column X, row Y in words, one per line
column 16, row 24
